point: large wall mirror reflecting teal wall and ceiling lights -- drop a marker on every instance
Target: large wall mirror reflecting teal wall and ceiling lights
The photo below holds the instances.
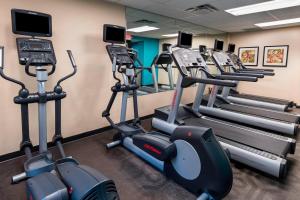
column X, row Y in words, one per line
column 149, row 35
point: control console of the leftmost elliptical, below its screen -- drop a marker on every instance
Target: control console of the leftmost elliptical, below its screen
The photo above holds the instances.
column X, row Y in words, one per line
column 38, row 51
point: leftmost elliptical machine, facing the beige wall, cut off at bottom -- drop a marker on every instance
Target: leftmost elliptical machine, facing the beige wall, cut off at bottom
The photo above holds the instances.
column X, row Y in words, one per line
column 46, row 178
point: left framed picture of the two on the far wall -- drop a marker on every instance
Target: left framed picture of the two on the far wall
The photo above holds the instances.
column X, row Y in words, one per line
column 249, row 55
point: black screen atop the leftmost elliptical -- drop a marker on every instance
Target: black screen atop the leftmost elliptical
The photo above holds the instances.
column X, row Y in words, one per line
column 31, row 23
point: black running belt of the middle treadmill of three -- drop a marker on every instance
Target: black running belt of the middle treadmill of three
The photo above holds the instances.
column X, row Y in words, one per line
column 281, row 116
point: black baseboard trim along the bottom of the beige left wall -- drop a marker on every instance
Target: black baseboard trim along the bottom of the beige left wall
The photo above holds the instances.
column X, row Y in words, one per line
column 73, row 138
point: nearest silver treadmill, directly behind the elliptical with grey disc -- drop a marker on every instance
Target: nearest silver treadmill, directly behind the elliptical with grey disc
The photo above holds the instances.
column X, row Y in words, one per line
column 258, row 149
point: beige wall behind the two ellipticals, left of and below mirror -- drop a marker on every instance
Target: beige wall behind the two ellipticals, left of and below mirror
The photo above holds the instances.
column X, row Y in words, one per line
column 77, row 25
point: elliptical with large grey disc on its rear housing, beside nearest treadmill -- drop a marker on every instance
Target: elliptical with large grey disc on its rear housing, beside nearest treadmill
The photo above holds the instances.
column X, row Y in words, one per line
column 191, row 156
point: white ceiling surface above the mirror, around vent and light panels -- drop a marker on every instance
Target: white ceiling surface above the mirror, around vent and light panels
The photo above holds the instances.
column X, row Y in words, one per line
column 215, row 22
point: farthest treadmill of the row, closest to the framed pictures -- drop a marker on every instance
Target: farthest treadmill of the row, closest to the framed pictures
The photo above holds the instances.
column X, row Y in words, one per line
column 255, row 100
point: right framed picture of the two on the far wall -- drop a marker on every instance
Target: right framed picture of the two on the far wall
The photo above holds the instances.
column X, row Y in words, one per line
column 276, row 56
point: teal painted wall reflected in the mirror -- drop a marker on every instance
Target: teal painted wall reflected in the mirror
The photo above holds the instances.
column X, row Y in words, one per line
column 147, row 49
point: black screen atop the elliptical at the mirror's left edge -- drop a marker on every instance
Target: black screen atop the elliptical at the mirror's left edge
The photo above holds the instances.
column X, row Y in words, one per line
column 114, row 34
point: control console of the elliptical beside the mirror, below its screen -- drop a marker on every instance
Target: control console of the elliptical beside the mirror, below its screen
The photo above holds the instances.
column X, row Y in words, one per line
column 121, row 54
